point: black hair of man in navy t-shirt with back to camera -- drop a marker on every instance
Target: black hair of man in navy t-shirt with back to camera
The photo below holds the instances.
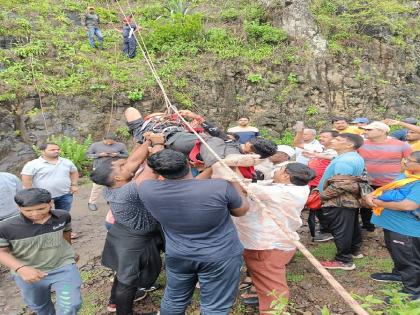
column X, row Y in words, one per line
column 169, row 163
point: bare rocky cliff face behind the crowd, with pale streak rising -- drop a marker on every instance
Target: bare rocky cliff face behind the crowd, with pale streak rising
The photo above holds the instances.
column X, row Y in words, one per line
column 378, row 81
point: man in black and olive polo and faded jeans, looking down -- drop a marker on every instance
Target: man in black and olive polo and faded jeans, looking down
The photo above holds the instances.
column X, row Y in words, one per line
column 36, row 246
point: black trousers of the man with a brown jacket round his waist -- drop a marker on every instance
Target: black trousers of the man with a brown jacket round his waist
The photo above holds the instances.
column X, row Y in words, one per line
column 343, row 224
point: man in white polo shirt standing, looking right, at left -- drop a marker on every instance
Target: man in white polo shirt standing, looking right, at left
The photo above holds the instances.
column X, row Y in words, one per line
column 56, row 174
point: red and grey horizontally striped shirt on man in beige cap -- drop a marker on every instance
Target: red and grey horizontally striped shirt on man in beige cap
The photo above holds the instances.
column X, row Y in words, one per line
column 383, row 160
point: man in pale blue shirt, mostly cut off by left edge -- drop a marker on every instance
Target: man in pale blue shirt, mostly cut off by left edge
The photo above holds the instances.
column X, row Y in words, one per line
column 9, row 186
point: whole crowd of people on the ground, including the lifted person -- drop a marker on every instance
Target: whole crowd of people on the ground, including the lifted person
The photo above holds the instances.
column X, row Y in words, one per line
column 172, row 195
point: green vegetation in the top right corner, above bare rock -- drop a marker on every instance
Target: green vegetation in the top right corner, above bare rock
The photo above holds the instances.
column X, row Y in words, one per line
column 351, row 23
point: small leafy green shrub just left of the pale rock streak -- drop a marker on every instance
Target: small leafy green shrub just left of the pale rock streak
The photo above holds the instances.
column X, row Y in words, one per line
column 264, row 33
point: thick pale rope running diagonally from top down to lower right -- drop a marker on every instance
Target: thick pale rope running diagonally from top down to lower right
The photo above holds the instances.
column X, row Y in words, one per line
column 331, row 280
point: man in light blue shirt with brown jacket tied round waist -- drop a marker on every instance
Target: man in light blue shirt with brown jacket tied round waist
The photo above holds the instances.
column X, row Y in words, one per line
column 339, row 192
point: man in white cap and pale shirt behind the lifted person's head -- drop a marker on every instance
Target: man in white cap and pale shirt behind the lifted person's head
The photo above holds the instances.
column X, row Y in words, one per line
column 283, row 155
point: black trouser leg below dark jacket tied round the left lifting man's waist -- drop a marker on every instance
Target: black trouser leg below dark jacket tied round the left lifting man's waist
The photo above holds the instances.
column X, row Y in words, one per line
column 123, row 296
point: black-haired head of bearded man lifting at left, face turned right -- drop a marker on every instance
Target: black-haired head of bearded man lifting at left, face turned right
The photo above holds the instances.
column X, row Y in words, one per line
column 110, row 171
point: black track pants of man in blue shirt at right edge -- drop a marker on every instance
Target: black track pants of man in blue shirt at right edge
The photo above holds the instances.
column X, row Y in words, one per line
column 405, row 253
